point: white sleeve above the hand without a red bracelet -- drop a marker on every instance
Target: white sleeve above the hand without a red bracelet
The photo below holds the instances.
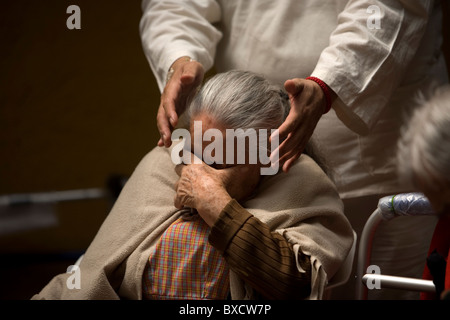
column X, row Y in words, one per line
column 172, row 29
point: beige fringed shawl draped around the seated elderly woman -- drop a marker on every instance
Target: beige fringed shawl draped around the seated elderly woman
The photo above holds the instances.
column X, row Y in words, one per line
column 302, row 205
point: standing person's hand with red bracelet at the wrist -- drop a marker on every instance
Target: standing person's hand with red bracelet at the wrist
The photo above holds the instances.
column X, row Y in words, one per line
column 308, row 103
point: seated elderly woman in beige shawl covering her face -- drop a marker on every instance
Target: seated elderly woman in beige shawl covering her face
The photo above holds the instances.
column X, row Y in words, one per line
column 217, row 231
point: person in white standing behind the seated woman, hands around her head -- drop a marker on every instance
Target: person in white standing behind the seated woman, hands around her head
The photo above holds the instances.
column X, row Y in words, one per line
column 368, row 60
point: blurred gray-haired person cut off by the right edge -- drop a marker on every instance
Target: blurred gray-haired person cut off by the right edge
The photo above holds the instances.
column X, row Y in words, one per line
column 424, row 162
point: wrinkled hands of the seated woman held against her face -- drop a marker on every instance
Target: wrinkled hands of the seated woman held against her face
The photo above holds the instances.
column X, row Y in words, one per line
column 209, row 190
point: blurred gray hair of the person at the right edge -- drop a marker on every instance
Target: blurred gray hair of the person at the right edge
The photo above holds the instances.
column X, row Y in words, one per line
column 424, row 148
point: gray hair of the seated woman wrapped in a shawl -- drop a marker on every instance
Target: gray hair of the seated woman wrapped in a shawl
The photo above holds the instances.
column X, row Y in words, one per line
column 241, row 99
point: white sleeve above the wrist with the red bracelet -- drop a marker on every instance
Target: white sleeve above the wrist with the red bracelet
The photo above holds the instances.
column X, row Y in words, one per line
column 365, row 62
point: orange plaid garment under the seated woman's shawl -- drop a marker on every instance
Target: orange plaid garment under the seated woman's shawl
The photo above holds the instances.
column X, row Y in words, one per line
column 185, row 266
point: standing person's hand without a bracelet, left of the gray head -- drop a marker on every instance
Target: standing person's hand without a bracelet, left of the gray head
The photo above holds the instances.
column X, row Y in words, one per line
column 182, row 85
